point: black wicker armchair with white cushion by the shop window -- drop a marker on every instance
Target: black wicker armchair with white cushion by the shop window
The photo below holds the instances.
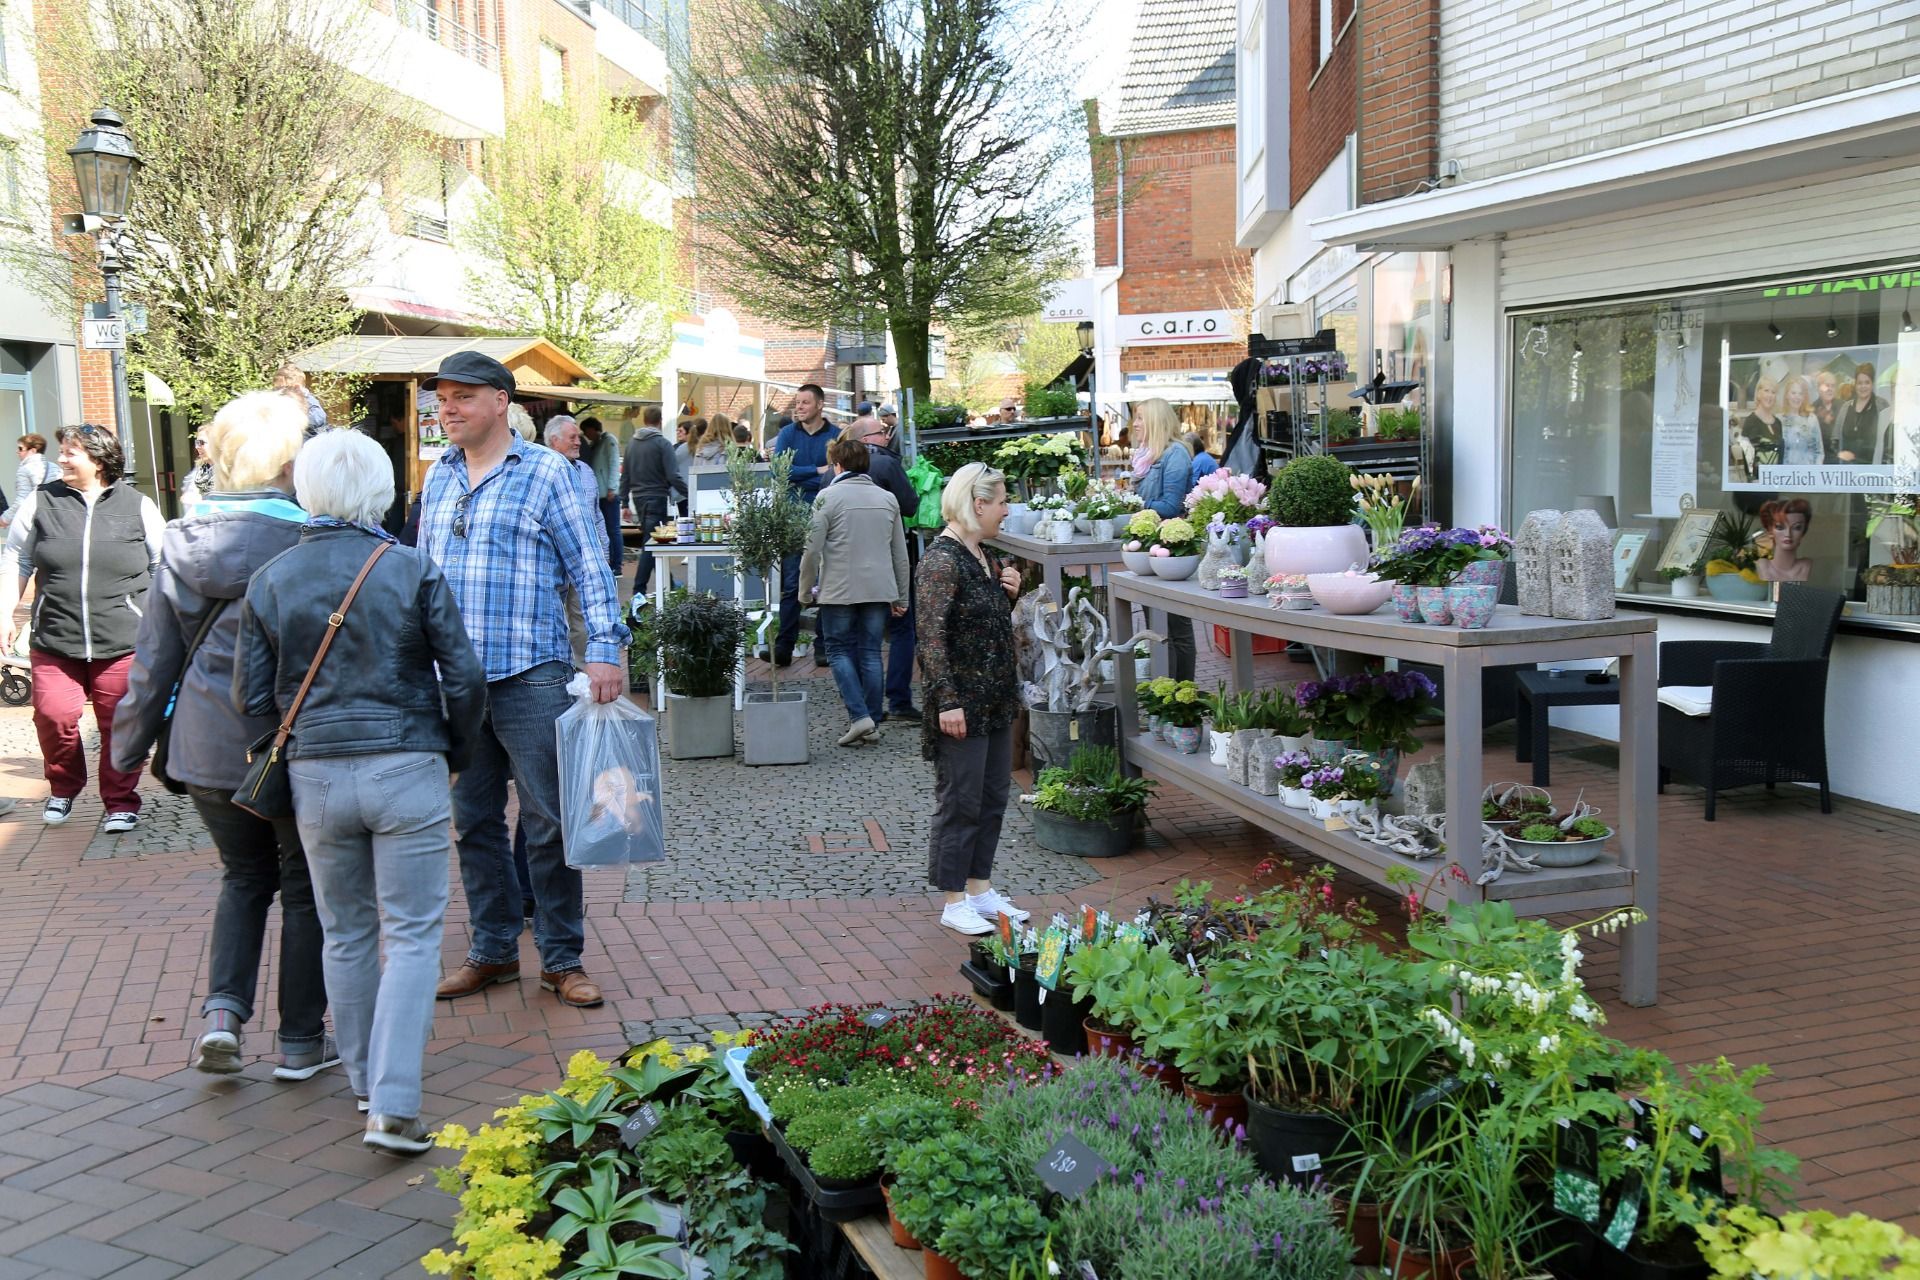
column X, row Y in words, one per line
column 1767, row 717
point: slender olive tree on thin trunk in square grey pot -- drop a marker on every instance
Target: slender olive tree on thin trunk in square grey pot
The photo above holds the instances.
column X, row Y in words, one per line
column 769, row 525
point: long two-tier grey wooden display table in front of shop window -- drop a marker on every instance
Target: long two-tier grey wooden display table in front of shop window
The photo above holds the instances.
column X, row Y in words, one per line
column 1625, row 878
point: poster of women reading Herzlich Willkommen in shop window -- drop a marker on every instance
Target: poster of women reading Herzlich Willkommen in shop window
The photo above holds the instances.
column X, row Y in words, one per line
column 1817, row 421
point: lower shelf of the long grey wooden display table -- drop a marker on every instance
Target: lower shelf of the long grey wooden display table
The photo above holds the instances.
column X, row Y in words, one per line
column 1596, row 886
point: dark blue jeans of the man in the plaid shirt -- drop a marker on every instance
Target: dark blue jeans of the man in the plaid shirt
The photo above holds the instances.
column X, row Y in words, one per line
column 517, row 742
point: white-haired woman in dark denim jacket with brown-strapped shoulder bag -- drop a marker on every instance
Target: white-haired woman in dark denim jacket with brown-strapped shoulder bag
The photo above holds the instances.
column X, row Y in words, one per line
column 375, row 738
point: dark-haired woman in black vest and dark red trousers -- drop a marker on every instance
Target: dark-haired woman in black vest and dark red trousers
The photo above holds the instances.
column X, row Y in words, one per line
column 91, row 544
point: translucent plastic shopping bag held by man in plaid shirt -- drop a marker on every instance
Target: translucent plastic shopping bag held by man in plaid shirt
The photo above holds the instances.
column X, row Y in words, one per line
column 610, row 782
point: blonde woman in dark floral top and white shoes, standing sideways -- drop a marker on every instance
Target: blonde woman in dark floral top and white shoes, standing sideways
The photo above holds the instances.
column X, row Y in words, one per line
column 967, row 667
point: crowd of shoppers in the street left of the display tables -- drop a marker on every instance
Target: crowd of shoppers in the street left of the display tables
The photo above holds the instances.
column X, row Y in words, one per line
column 277, row 638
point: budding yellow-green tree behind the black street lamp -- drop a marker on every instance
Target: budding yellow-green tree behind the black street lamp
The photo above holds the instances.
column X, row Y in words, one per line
column 262, row 156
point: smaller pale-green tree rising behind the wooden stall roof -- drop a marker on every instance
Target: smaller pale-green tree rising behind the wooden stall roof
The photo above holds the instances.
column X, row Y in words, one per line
column 573, row 239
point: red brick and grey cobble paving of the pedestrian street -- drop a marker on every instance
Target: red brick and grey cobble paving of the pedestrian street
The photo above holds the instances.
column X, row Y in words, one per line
column 1788, row 937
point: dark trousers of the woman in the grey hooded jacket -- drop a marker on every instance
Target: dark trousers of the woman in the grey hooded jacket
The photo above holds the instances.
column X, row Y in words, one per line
column 258, row 861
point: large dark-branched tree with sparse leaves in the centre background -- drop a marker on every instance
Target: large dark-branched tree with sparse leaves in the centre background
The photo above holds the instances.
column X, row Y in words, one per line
column 888, row 160
